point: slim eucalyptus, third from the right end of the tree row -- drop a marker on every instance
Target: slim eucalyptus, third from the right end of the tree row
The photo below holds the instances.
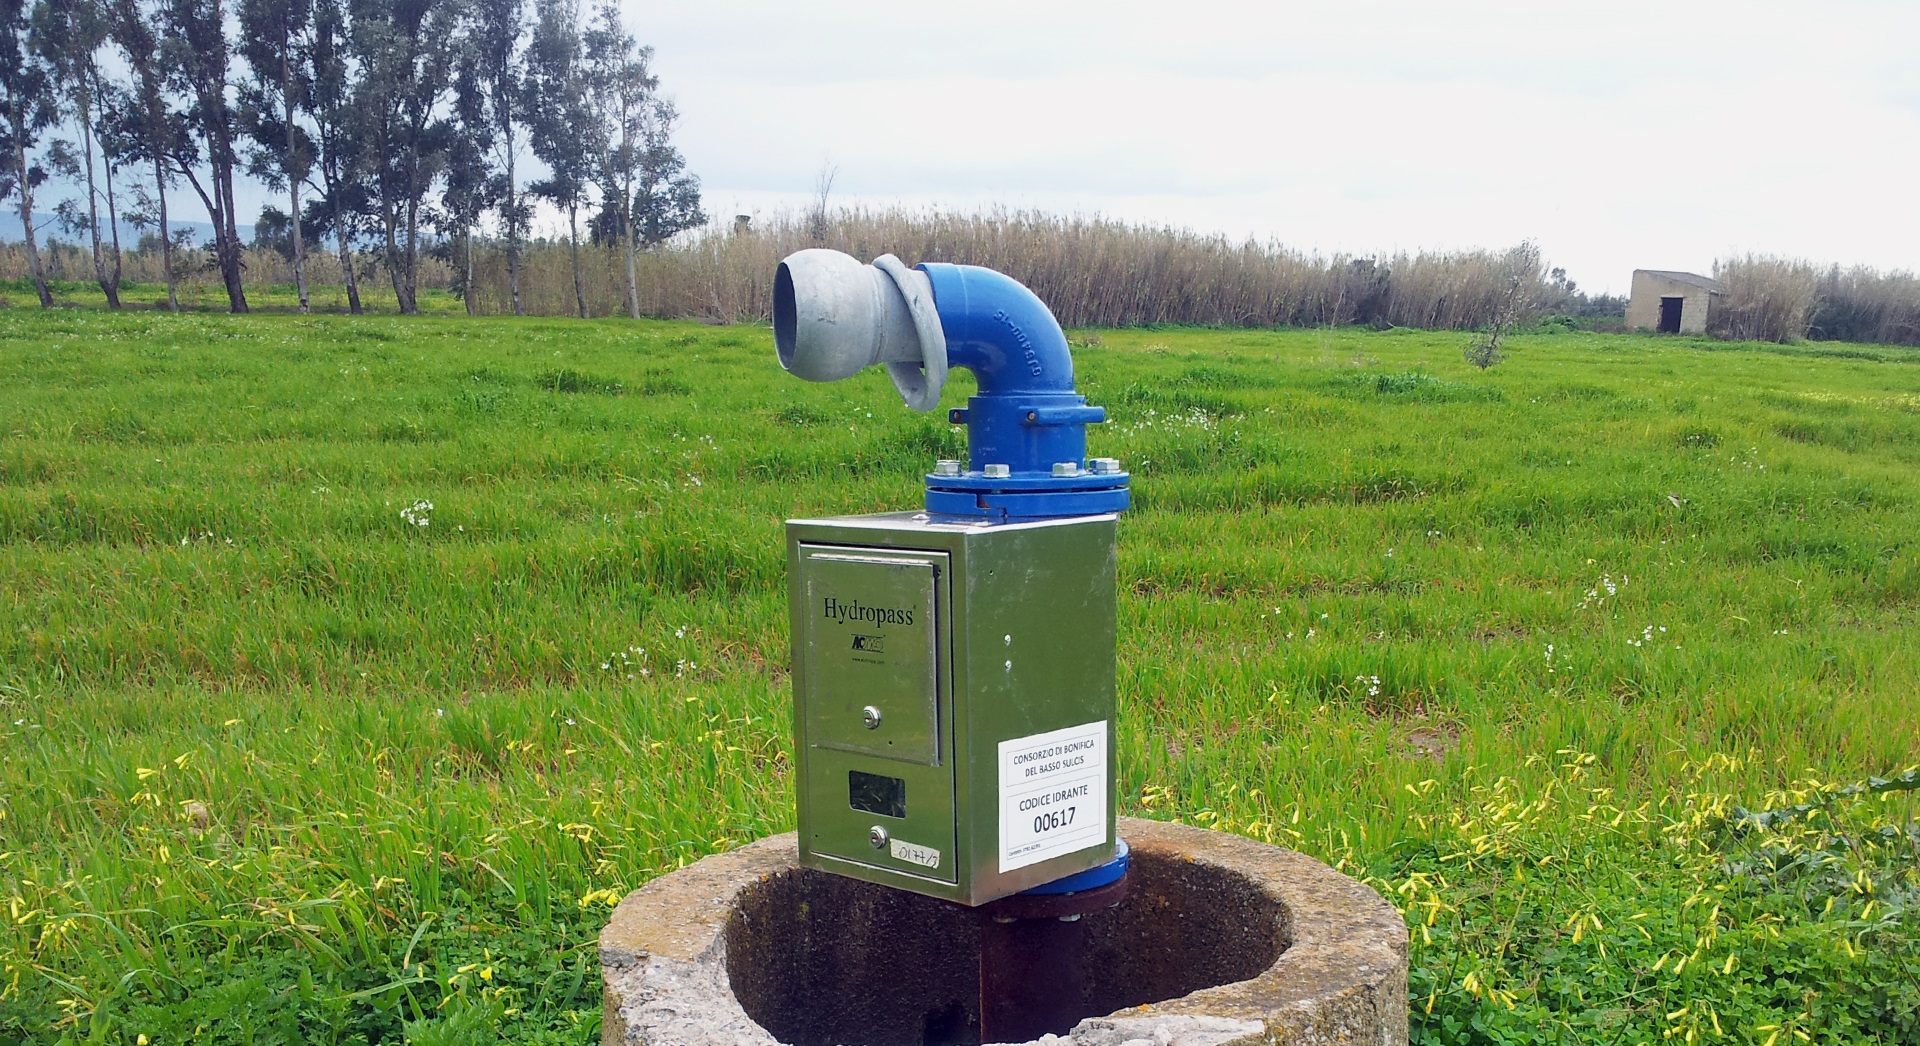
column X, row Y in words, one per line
column 498, row 76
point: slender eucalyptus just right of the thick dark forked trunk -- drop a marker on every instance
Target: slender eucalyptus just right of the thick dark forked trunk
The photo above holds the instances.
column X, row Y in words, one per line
column 277, row 45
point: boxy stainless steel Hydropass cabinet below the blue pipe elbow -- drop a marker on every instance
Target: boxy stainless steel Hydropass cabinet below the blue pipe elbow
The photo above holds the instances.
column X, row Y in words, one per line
column 953, row 700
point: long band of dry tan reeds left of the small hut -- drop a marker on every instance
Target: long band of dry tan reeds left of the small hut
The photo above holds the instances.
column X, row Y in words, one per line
column 1092, row 272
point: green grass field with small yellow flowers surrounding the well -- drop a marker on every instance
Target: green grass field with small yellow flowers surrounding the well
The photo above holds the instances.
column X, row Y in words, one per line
column 352, row 669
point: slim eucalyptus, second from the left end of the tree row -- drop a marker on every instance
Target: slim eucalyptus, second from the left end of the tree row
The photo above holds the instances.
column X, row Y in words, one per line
column 70, row 37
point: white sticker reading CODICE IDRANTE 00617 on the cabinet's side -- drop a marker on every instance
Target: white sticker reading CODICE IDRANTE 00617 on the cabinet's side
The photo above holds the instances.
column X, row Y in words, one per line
column 1053, row 796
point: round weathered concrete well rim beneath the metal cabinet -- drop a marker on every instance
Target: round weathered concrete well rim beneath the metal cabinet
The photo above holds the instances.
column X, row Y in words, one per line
column 1343, row 976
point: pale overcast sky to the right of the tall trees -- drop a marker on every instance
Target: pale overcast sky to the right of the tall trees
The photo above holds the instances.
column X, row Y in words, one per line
column 1637, row 133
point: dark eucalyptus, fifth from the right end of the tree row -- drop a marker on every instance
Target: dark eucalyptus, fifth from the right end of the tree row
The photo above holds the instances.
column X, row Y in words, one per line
column 406, row 57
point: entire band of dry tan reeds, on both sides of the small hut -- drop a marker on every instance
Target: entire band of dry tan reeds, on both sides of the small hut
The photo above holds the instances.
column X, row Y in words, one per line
column 1092, row 272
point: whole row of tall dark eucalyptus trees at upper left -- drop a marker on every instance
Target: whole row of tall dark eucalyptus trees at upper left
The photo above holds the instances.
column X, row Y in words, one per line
column 389, row 128
